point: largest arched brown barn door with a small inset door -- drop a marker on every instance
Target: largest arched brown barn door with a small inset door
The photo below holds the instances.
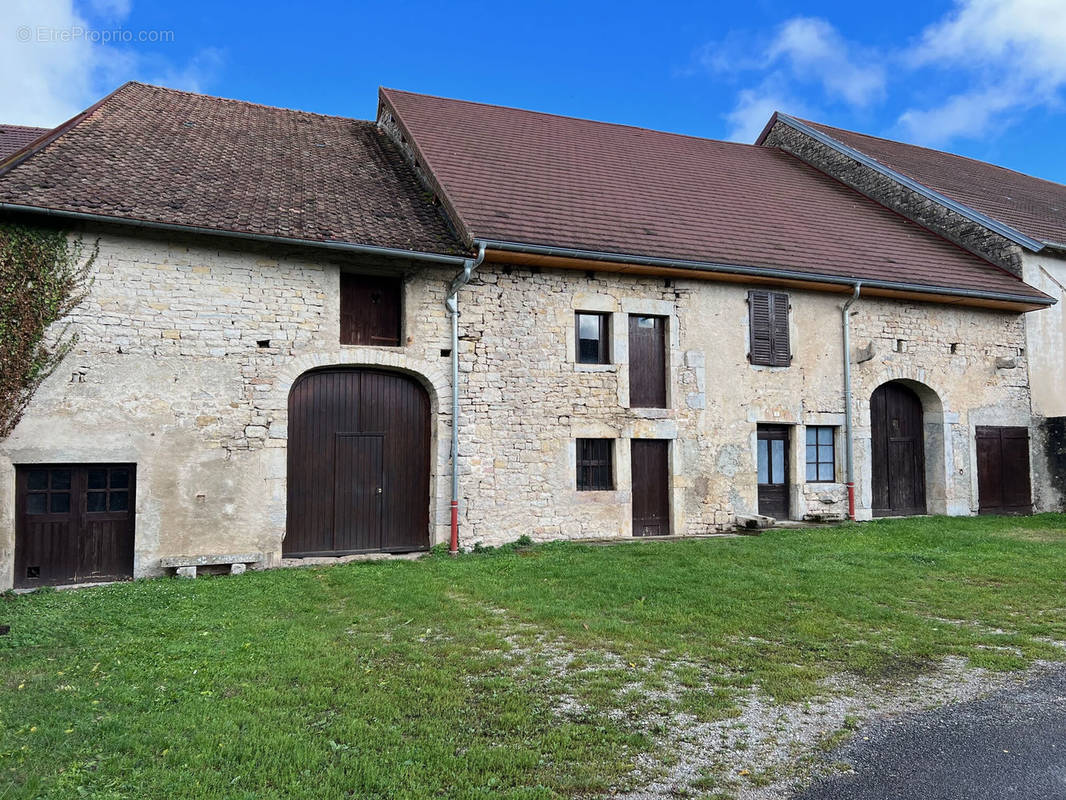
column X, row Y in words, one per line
column 359, row 475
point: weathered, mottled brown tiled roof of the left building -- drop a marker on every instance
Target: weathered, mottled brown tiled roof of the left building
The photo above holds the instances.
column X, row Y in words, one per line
column 157, row 155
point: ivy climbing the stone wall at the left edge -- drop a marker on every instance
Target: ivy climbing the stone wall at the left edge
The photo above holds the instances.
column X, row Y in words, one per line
column 43, row 277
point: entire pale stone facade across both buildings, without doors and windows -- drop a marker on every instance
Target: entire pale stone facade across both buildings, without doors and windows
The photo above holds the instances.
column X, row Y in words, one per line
column 188, row 353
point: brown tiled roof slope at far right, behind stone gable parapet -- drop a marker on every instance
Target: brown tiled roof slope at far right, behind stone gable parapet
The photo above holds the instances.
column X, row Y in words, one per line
column 1032, row 206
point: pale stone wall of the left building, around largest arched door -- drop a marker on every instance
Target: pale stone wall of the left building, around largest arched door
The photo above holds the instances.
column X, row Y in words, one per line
column 186, row 355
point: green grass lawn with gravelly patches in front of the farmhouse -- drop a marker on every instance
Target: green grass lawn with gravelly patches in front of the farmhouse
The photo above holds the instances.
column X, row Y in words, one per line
column 518, row 674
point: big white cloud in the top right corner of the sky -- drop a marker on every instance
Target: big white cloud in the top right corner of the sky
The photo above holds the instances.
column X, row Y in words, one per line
column 1014, row 55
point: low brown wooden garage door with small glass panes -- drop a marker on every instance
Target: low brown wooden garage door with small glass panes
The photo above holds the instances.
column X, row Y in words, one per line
column 74, row 523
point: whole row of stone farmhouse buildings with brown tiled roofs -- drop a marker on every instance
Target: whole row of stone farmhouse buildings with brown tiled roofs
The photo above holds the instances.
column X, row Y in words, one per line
column 315, row 337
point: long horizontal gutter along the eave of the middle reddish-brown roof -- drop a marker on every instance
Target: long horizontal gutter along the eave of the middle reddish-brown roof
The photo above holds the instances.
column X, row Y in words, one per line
column 771, row 273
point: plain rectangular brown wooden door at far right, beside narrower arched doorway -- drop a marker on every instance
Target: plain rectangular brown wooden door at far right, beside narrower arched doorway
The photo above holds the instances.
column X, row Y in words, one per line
column 1004, row 485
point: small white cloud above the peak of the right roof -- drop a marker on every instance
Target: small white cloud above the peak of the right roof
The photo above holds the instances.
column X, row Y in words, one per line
column 816, row 52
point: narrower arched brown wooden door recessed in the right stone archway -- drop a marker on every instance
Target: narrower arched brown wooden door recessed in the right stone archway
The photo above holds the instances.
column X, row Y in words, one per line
column 898, row 445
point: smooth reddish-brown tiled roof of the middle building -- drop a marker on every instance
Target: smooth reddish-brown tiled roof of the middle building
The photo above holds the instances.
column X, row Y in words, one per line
column 536, row 179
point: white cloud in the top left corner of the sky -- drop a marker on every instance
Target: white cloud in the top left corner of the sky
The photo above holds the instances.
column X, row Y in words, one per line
column 50, row 72
